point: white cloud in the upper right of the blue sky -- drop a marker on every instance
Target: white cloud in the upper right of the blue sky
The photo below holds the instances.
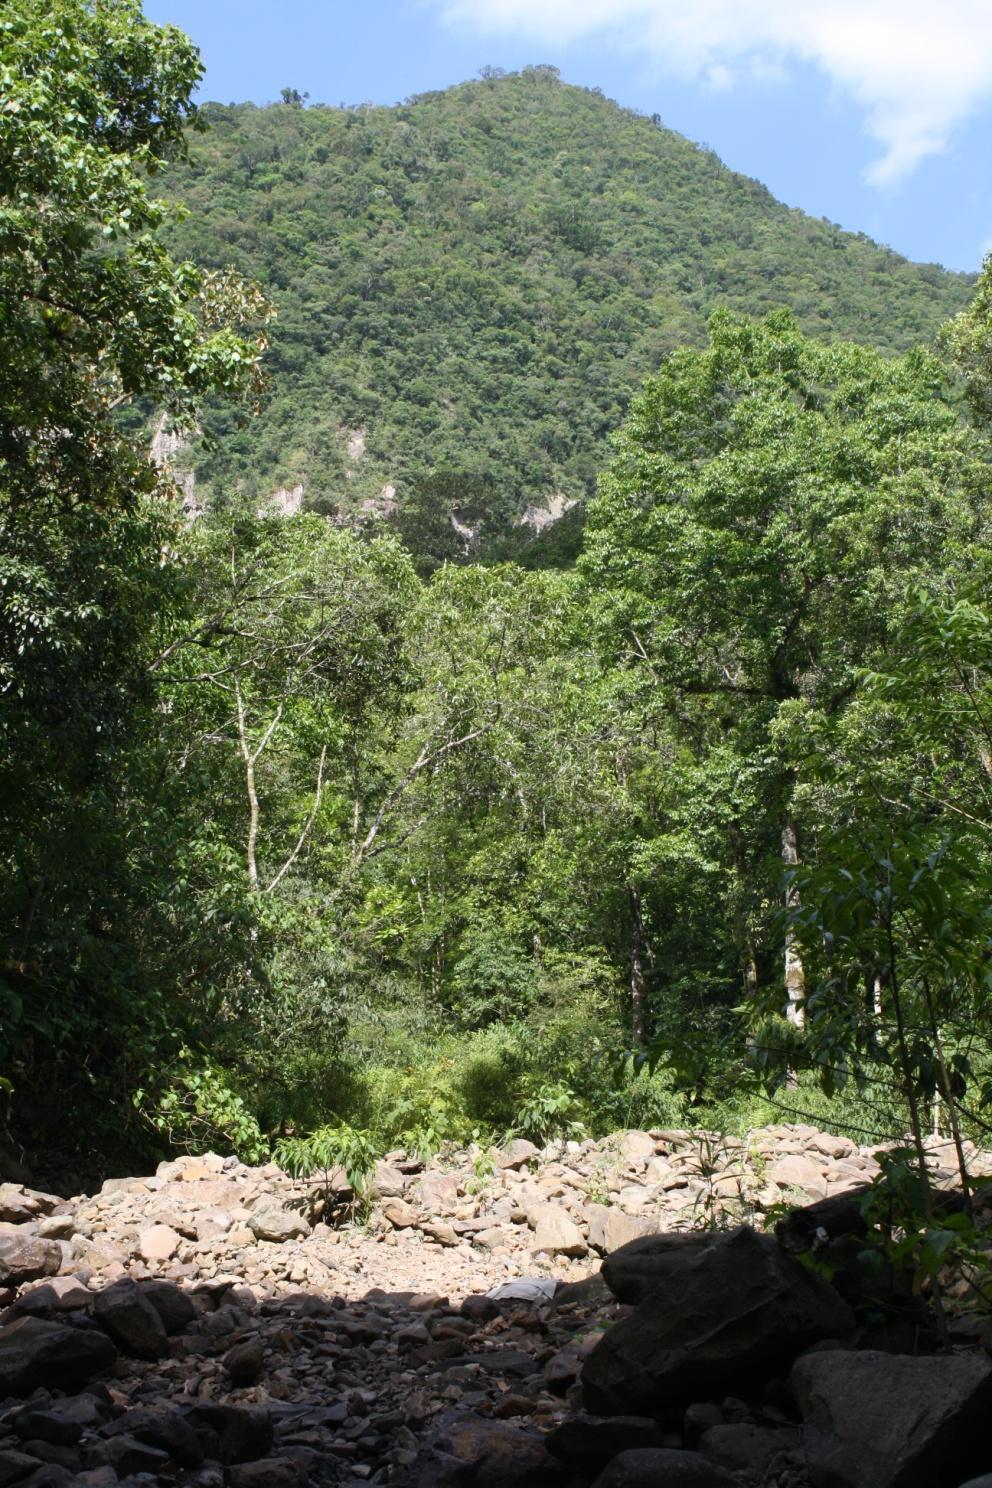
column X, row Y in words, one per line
column 914, row 69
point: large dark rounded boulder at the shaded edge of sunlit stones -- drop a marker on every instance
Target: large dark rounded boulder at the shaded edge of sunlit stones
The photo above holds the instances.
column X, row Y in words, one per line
column 737, row 1309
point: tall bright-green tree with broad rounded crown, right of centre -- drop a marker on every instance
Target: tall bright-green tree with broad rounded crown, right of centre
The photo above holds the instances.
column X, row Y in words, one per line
column 768, row 505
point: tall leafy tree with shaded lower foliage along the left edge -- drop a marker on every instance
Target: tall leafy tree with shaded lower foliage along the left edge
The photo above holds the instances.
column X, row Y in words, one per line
column 94, row 315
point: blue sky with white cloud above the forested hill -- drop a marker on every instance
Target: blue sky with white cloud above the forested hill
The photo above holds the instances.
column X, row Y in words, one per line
column 874, row 114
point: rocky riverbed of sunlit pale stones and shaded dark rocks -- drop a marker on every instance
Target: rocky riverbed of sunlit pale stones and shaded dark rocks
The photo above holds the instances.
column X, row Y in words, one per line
column 605, row 1313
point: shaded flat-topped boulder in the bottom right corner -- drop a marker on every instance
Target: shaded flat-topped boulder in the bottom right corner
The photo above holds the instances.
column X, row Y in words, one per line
column 895, row 1420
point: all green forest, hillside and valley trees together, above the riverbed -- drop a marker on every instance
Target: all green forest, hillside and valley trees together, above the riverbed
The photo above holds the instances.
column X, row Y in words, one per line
column 300, row 837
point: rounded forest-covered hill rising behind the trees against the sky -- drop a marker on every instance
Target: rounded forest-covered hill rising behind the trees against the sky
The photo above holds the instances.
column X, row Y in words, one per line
column 471, row 285
